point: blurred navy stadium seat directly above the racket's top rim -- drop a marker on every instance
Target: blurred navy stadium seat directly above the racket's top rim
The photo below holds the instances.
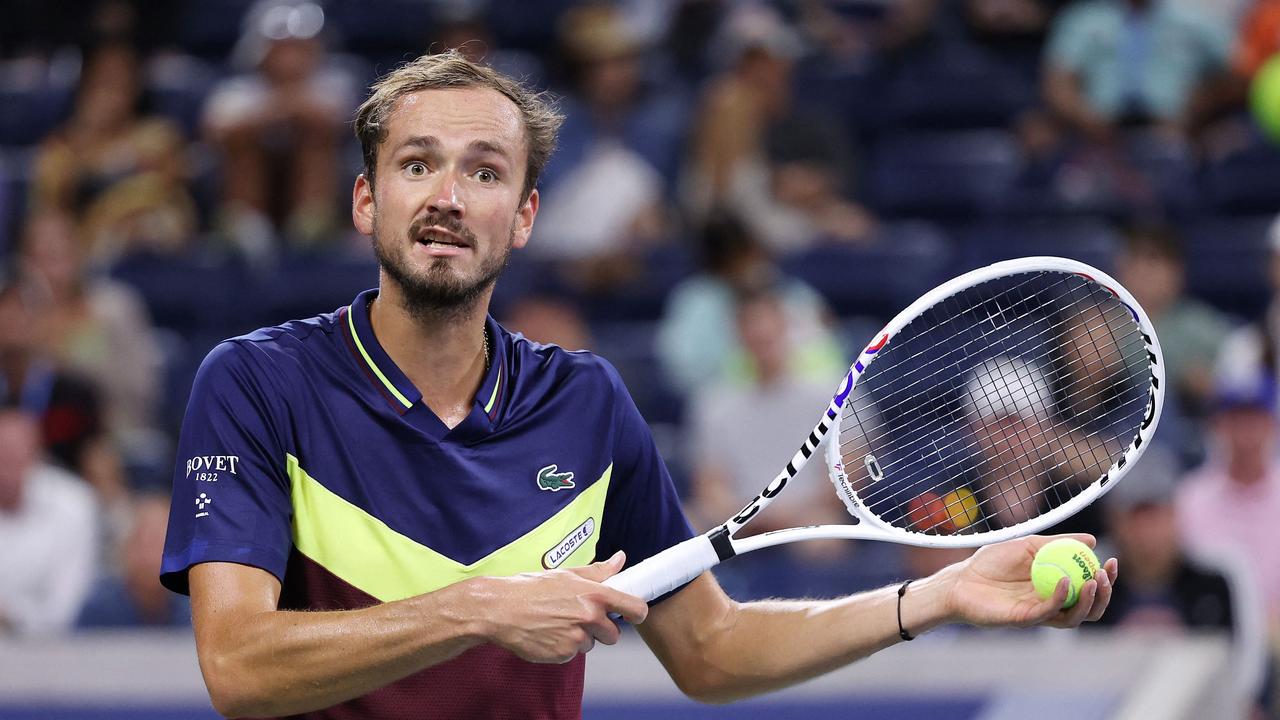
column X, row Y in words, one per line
column 1089, row 240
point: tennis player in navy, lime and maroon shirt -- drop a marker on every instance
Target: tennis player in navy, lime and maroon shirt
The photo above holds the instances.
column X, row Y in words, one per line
column 405, row 470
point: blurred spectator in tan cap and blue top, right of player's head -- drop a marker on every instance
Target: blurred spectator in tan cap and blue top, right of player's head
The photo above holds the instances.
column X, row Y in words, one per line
column 602, row 193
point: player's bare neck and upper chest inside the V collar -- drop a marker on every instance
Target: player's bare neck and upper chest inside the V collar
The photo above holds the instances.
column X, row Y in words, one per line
column 441, row 353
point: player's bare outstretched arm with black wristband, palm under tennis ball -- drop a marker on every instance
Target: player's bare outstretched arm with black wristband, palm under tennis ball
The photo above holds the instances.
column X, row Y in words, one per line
column 719, row 650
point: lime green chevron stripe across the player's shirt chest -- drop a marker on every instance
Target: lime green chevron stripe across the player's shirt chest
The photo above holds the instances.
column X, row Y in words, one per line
column 363, row 552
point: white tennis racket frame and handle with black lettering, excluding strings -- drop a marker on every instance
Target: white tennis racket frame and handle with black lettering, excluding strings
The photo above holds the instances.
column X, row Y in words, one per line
column 689, row 559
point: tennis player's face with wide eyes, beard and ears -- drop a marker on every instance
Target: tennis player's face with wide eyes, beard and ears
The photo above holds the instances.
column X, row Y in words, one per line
column 447, row 208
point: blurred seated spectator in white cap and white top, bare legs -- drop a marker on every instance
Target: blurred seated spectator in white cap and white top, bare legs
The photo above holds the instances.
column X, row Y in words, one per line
column 280, row 127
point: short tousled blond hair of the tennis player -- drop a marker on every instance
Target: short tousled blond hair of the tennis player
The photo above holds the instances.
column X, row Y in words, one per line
column 449, row 70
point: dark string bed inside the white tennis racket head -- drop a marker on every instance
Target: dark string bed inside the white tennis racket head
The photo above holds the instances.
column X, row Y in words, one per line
column 1053, row 439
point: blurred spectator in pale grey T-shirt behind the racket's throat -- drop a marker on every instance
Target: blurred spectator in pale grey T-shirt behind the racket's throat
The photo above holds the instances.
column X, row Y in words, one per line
column 740, row 432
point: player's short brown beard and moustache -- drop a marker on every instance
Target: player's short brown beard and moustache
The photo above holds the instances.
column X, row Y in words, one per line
column 440, row 290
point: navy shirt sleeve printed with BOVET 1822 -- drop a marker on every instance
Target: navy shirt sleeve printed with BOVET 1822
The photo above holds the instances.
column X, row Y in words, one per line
column 231, row 489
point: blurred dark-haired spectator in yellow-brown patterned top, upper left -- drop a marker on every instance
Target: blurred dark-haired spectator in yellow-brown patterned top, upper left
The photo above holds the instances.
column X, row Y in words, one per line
column 120, row 172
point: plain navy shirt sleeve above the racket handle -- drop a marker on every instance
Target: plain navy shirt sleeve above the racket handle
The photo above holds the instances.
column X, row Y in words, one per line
column 643, row 514
